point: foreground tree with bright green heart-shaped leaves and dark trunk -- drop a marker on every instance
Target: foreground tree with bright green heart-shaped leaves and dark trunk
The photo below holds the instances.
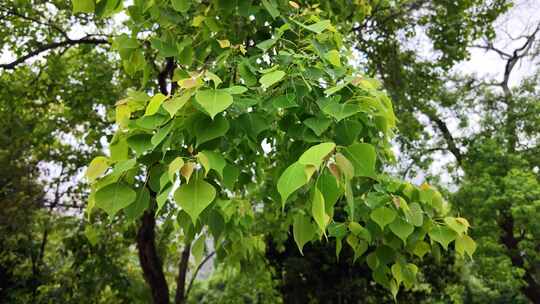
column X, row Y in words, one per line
column 233, row 76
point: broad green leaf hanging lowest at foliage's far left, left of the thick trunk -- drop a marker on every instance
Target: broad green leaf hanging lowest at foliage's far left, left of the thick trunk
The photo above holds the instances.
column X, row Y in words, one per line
column 114, row 197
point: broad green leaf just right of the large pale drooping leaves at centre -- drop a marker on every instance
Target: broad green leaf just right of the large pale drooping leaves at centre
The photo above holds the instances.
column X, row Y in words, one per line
column 363, row 158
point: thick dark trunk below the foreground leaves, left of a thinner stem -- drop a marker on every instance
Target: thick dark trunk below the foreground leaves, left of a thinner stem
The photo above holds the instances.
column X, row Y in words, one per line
column 150, row 261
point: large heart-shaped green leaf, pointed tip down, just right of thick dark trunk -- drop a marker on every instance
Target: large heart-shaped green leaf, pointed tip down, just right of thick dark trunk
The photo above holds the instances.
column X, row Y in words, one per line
column 194, row 197
